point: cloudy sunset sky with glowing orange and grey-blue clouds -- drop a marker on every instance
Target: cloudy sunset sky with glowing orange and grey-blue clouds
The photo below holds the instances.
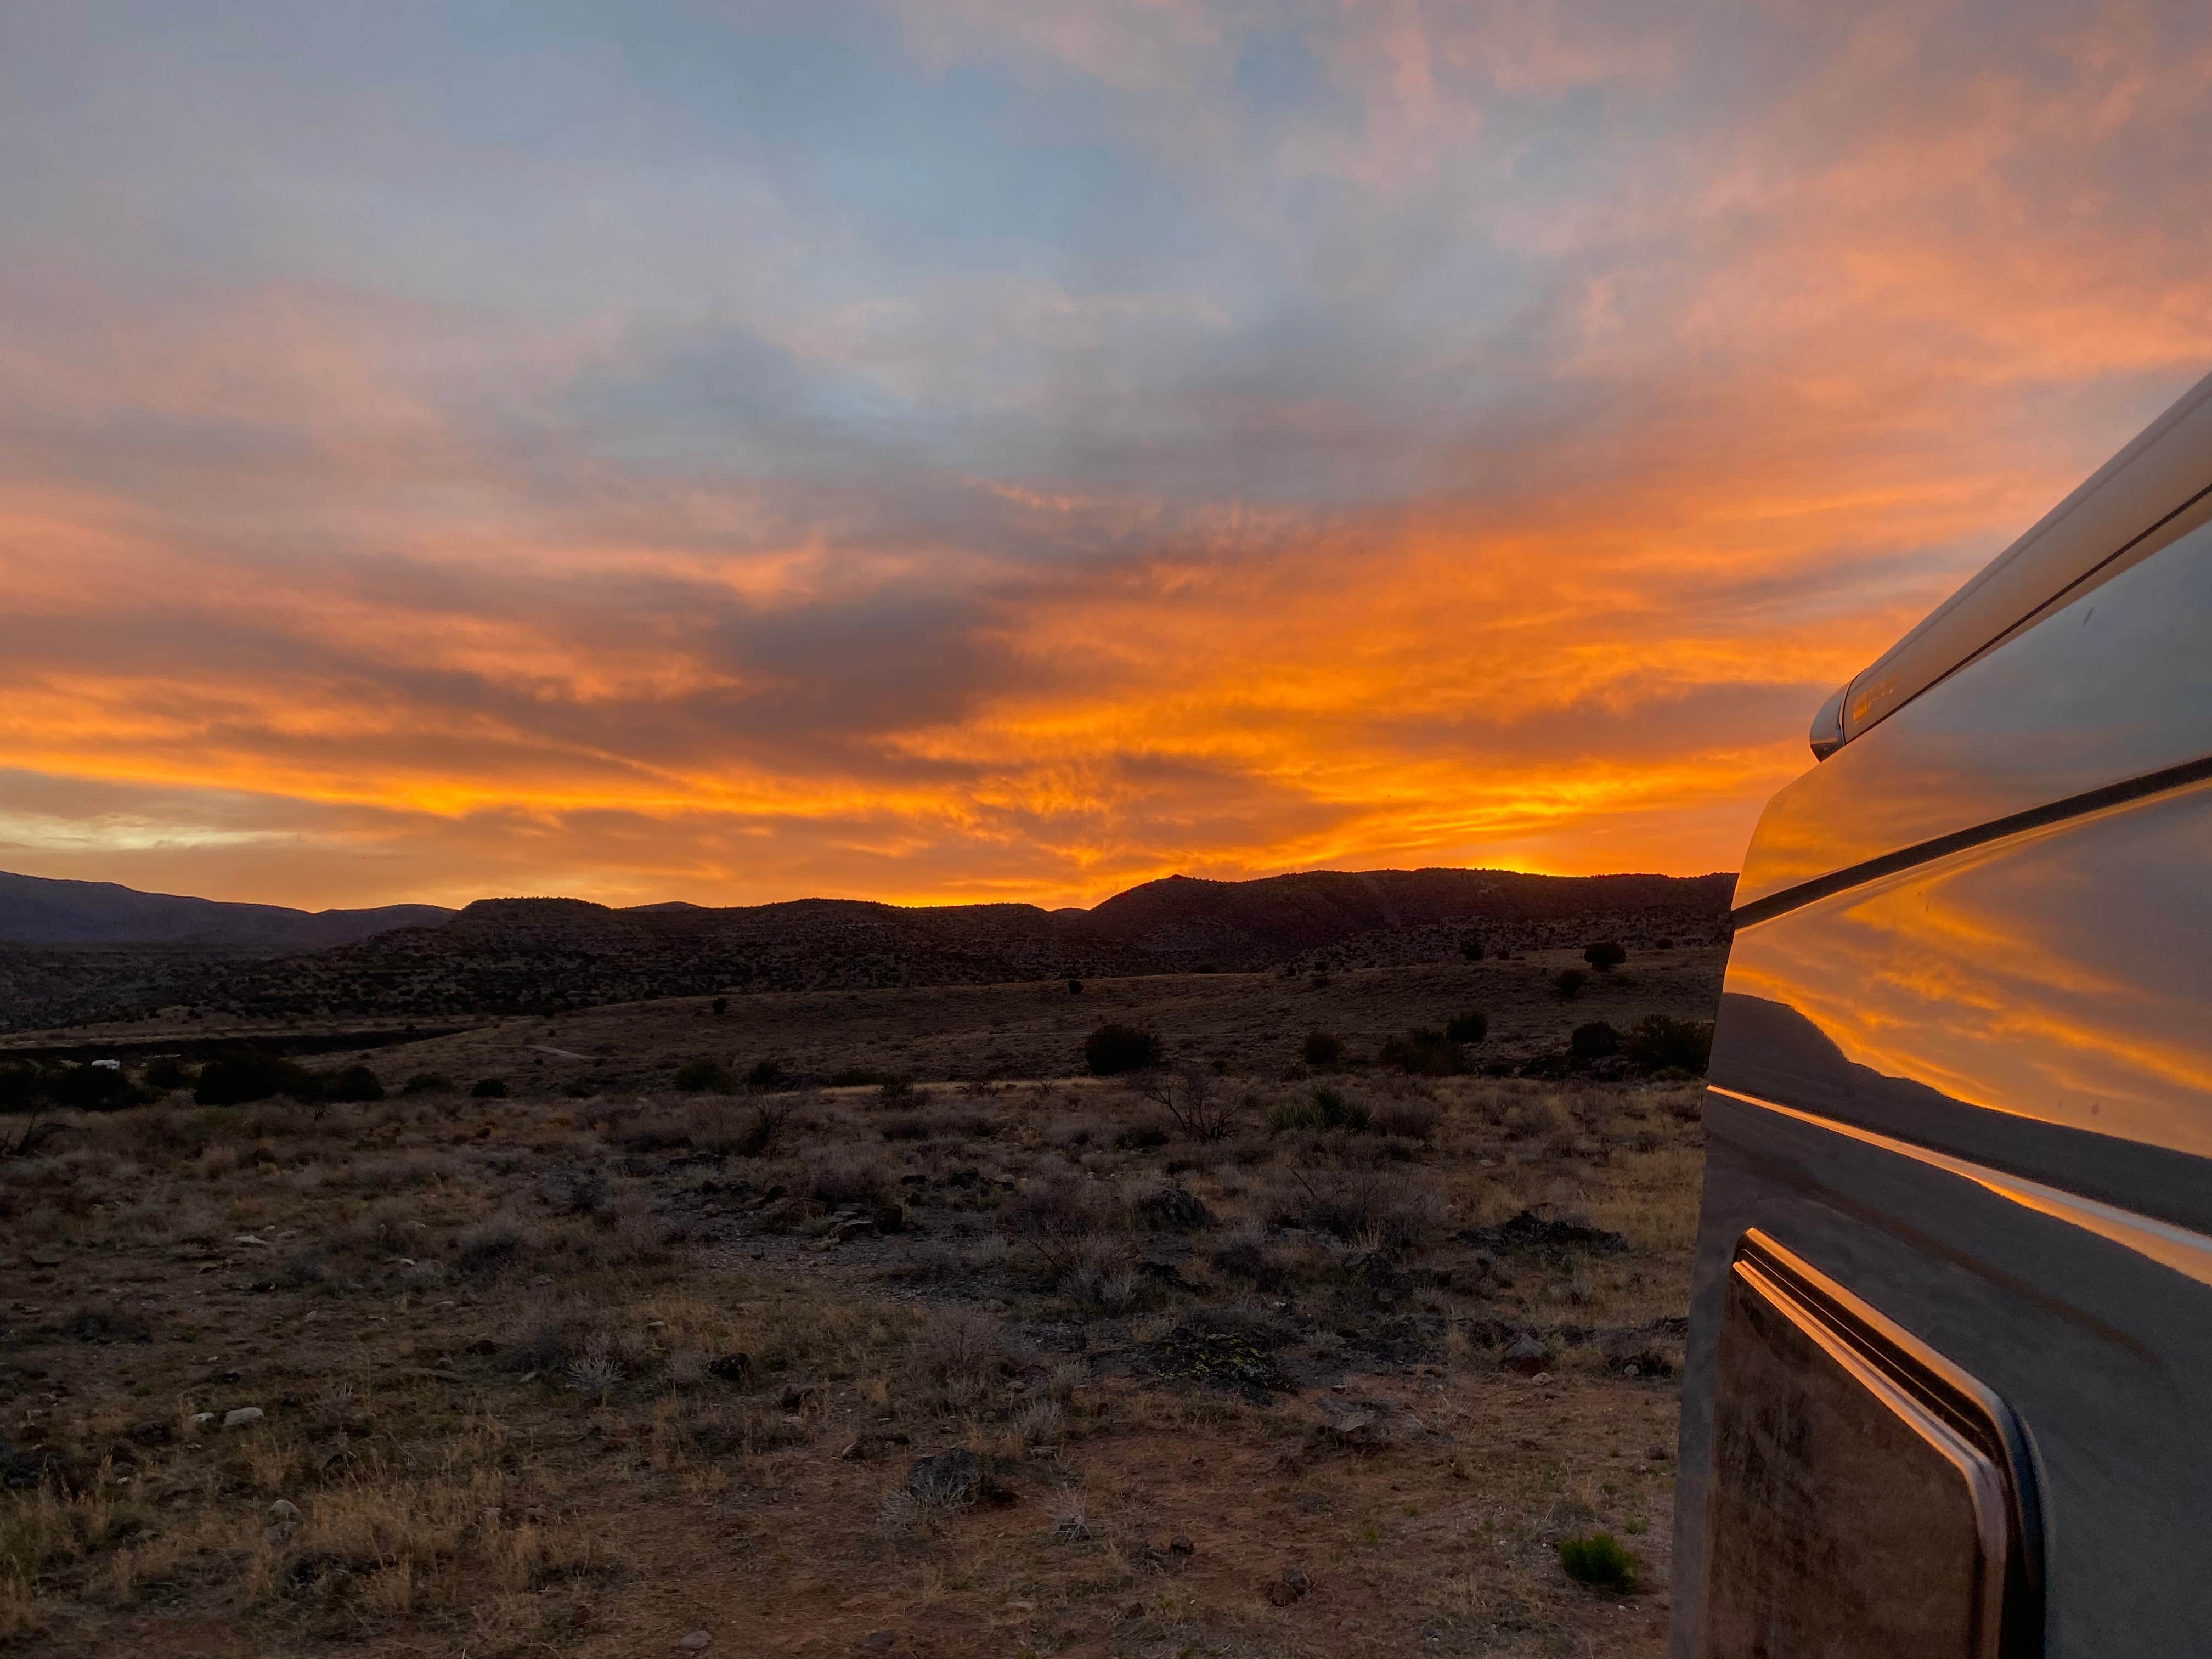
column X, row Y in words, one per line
column 1016, row 450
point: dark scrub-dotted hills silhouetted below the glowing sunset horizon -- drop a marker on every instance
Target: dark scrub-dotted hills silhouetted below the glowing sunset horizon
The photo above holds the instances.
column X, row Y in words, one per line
column 547, row 954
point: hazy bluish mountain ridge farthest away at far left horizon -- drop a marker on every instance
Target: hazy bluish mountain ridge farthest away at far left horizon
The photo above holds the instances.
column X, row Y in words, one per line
column 36, row 910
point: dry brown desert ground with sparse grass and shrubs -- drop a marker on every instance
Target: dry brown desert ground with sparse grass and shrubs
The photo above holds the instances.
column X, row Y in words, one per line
column 1253, row 1361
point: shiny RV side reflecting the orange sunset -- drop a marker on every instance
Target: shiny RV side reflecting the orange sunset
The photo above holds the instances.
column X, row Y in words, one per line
column 1952, row 1337
